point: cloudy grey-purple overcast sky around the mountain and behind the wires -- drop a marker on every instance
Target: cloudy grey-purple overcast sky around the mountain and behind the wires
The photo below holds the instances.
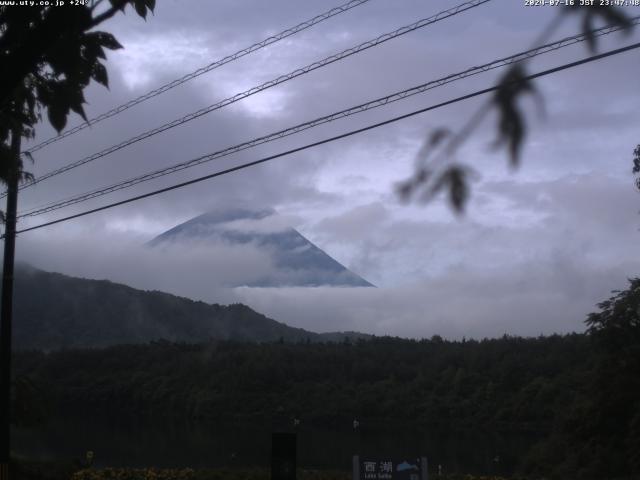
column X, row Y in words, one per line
column 537, row 248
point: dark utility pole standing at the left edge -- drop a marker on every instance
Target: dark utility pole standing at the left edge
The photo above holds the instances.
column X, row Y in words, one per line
column 6, row 311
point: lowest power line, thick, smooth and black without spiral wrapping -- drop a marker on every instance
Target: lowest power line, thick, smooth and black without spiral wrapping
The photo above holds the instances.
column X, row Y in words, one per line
column 331, row 139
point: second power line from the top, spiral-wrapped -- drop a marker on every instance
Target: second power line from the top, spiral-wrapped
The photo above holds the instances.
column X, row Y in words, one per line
column 277, row 81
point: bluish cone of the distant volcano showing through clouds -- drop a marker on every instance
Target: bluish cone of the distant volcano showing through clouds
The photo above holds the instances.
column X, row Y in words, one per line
column 298, row 262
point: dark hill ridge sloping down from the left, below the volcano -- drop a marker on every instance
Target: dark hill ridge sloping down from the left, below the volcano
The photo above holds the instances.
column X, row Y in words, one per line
column 53, row 311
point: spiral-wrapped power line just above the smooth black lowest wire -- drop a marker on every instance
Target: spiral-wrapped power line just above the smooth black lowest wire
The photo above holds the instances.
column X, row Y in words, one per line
column 379, row 102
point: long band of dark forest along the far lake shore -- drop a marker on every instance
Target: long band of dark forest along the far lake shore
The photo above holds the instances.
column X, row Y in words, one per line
column 510, row 382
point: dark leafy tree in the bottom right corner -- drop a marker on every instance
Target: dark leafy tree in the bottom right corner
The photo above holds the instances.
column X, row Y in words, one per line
column 600, row 432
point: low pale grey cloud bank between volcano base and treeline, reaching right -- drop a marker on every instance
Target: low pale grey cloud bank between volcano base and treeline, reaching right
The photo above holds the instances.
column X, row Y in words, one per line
column 519, row 301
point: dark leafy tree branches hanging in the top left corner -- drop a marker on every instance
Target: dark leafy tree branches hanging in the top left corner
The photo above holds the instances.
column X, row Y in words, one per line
column 48, row 56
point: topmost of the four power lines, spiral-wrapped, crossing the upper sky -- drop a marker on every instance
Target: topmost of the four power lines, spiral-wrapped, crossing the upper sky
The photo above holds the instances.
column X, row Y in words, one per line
column 201, row 71
